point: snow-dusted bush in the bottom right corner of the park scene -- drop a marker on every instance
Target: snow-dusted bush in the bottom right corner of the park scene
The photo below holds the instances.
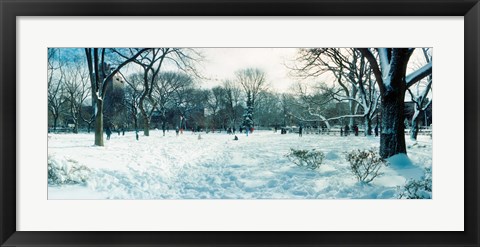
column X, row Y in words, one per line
column 418, row 189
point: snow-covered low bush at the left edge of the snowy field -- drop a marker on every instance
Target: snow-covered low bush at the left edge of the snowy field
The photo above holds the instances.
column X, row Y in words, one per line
column 66, row 171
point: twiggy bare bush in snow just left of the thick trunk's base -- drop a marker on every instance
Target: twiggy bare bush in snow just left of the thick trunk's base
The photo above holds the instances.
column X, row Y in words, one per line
column 365, row 164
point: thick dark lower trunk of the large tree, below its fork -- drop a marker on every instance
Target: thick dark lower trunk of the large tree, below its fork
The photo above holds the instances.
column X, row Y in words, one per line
column 392, row 137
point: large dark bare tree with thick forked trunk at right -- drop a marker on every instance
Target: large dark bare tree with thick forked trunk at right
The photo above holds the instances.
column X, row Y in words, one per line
column 390, row 73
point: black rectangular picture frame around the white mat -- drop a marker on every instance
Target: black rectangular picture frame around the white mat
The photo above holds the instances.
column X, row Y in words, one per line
column 10, row 9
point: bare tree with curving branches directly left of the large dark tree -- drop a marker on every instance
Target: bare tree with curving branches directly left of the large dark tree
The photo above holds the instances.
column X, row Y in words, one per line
column 353, row 76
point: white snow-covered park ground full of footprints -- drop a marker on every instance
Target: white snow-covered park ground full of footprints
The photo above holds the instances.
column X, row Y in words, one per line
column 217, row 167
